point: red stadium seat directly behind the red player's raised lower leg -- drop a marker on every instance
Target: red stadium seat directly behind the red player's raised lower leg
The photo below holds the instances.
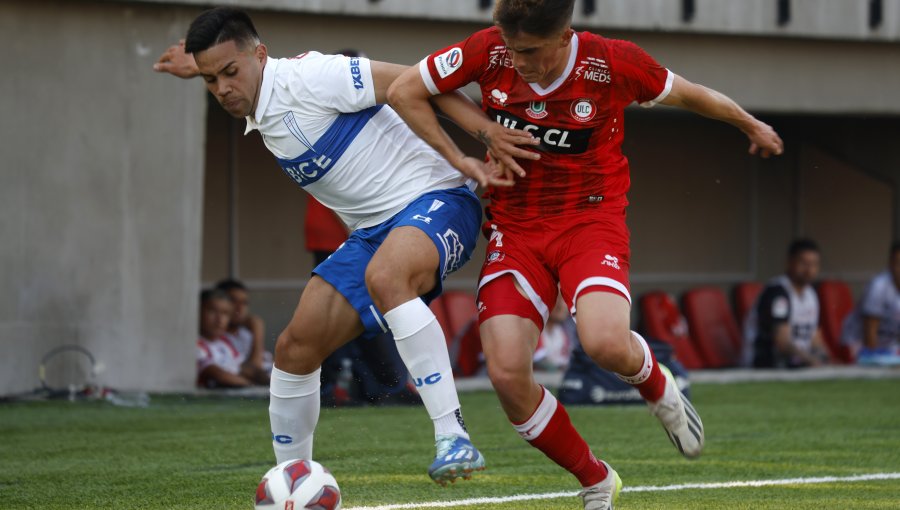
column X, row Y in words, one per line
column 661, row 319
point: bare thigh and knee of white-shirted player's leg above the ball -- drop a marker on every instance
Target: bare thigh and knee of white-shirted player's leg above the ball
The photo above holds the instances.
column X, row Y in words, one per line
column 323, row 321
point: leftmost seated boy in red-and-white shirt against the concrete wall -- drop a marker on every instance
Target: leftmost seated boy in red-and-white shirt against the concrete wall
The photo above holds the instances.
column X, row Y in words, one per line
column 219, row 364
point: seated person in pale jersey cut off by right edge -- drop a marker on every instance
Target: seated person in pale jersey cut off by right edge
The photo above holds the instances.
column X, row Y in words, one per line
column 872, row 331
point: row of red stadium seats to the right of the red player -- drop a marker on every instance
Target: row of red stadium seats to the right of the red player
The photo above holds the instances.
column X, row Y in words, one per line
column 709, row 335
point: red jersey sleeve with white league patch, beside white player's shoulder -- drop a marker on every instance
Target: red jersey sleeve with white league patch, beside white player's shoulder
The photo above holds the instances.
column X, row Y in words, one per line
column 455, row 66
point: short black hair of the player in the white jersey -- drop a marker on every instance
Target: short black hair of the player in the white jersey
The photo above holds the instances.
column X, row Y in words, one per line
column 219, row 25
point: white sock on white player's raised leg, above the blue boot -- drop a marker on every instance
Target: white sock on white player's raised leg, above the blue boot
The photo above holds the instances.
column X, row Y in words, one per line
column 421, row 344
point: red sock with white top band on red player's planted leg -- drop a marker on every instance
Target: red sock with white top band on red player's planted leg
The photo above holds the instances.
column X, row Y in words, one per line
column 550, row 430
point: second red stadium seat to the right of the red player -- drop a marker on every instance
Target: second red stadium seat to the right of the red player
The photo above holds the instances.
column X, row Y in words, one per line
column 713, row 330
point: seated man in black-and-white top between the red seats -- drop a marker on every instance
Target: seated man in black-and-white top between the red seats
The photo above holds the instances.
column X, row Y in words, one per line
column 782, row 328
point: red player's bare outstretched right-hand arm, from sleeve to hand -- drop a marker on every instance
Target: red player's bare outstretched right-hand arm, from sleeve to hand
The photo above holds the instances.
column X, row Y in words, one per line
column 710, row 103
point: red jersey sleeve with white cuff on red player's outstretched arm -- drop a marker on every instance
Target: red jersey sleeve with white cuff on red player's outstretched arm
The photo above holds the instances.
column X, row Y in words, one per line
column 640, row 77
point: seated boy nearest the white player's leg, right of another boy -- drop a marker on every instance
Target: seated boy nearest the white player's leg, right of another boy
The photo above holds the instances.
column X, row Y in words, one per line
column 247, row 331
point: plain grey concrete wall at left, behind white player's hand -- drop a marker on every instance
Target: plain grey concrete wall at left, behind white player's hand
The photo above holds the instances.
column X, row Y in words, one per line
column 100, row 193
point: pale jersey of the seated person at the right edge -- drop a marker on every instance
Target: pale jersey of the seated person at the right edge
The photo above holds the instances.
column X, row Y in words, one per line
column 881, row 300
